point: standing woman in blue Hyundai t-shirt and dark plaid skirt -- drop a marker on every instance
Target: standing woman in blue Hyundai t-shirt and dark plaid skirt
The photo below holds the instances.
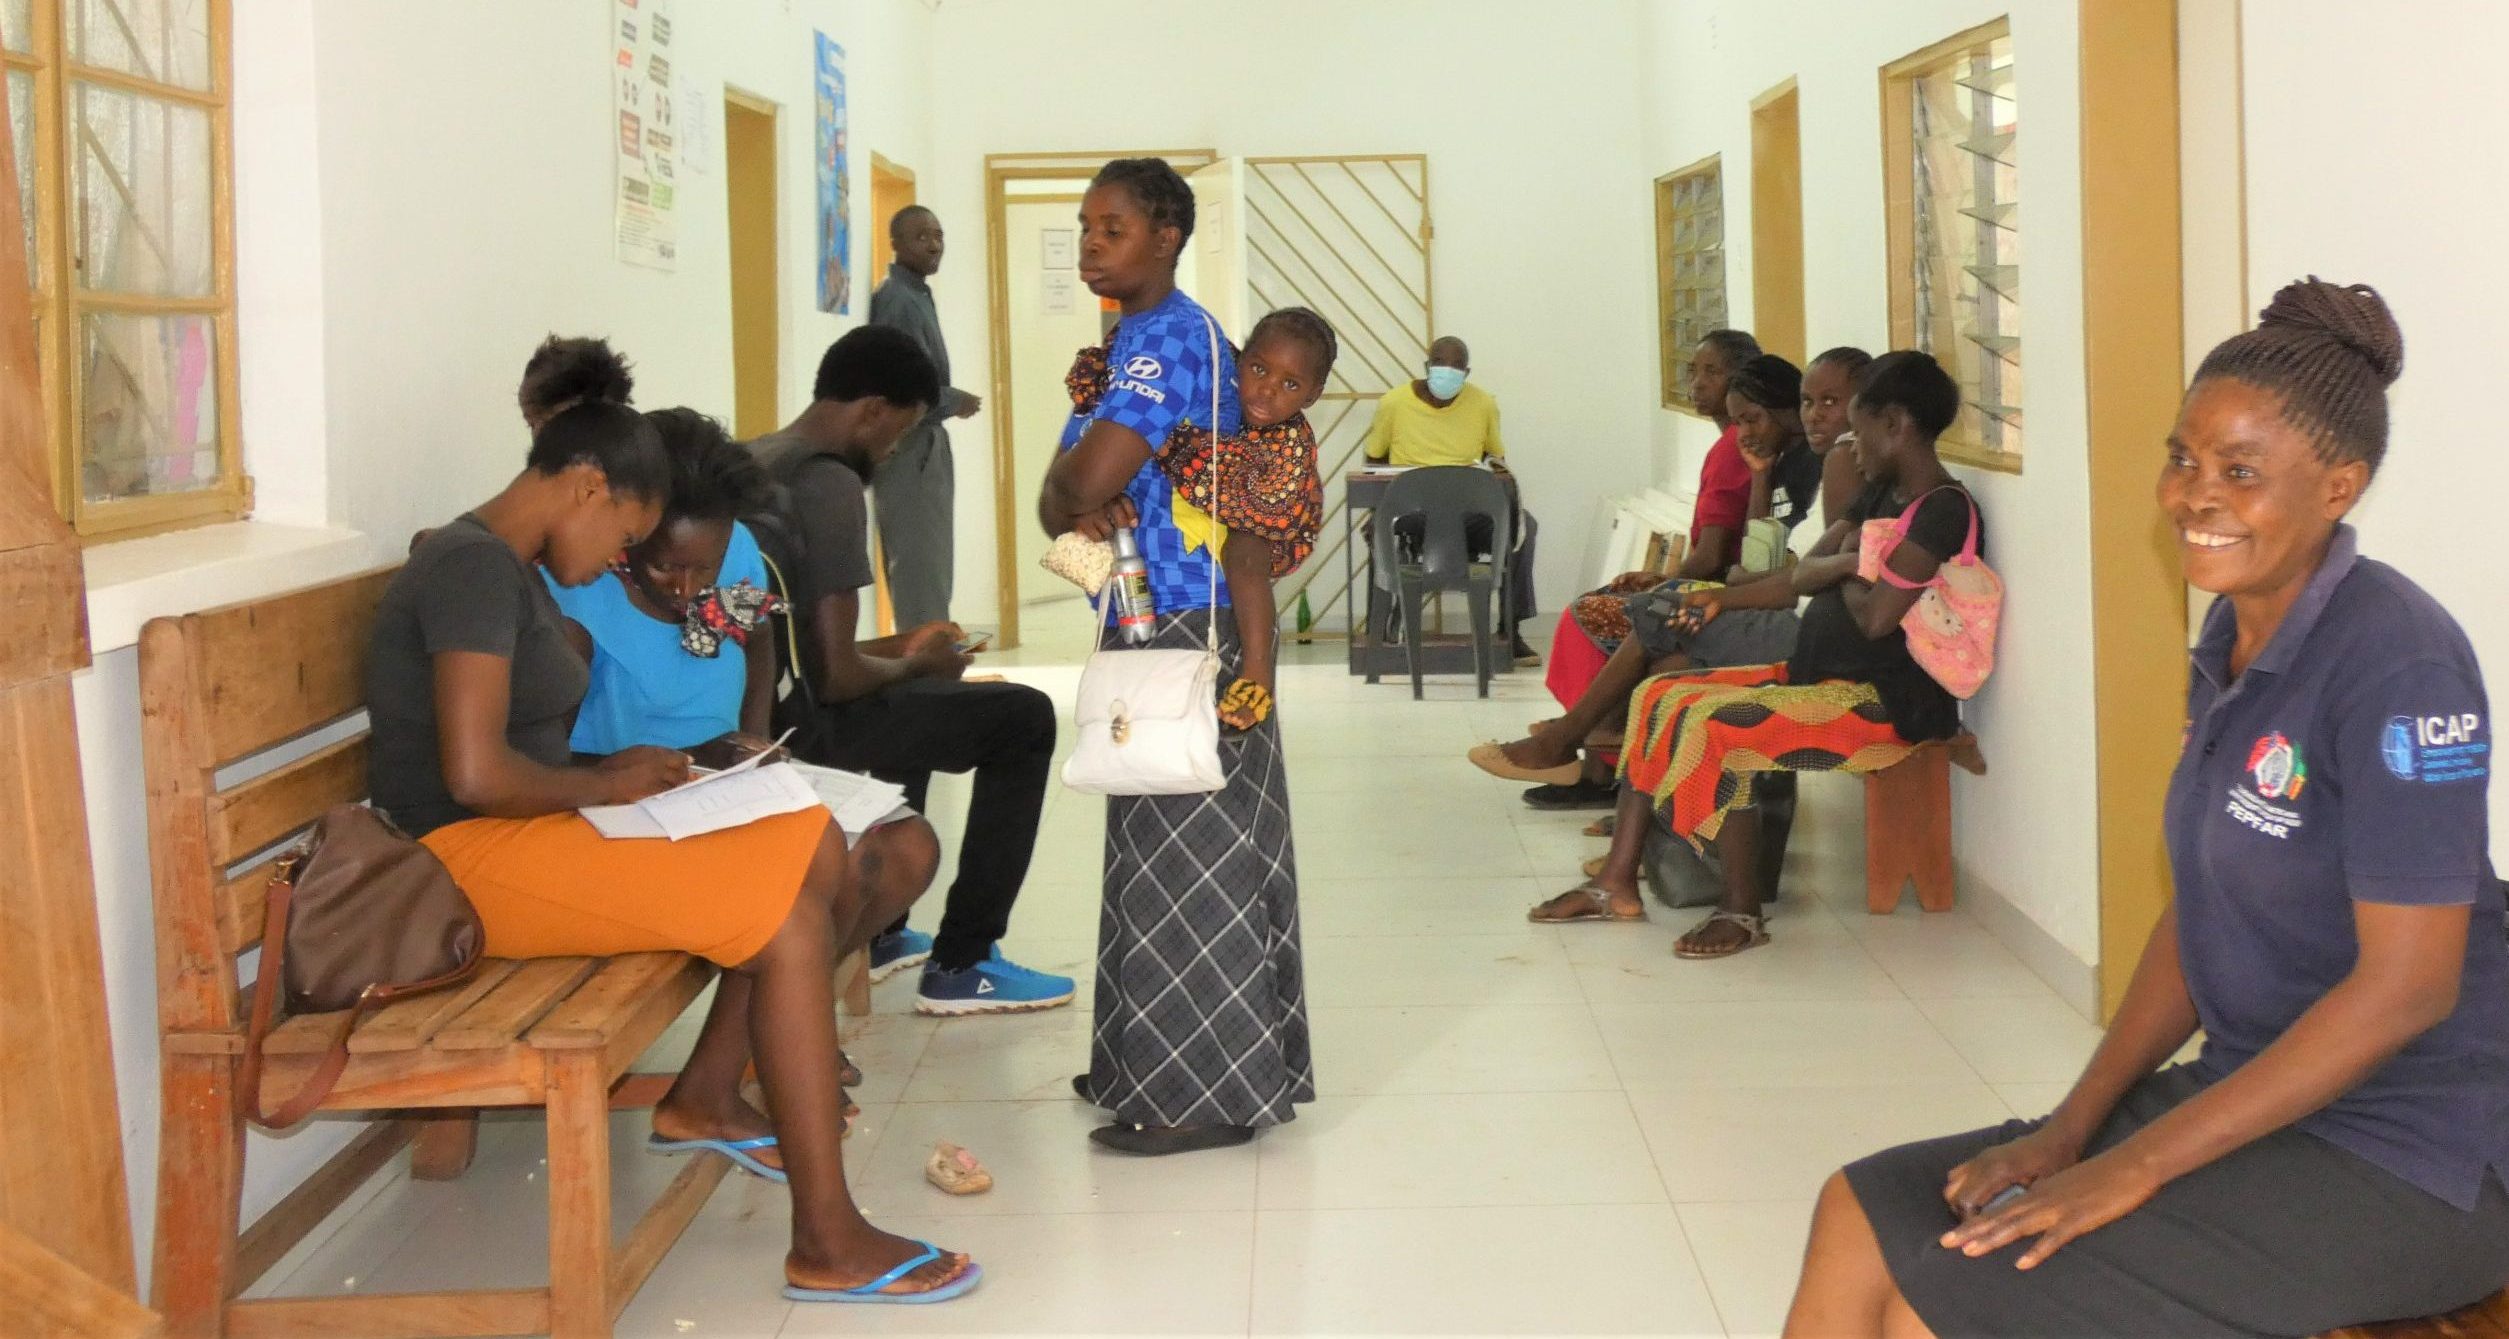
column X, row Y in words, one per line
column 1201, row 1009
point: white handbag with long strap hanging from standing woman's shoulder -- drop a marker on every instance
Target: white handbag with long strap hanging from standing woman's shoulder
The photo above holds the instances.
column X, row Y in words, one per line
column 1148, row 718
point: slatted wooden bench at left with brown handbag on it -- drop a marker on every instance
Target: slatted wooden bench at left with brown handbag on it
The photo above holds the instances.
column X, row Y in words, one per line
column 227, row 688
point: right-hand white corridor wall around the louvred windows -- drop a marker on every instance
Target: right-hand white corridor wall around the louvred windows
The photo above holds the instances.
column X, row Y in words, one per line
column 2031, row 834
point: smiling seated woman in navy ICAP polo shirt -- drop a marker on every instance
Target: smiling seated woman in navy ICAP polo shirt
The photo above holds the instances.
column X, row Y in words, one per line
column 2335, row 1155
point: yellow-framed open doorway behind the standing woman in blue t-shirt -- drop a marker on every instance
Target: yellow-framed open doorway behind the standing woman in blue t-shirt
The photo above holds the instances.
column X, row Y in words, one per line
column 1040, row 317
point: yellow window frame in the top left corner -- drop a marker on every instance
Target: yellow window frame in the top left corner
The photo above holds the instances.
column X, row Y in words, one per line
column 61, row 307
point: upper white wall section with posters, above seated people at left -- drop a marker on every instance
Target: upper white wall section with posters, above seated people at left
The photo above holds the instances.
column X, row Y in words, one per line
column 463, row 227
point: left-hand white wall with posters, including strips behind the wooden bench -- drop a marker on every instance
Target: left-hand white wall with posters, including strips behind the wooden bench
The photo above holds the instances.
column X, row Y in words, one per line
column 415, row 207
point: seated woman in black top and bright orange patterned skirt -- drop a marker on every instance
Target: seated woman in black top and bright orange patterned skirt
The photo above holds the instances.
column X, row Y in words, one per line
column 1850, row 698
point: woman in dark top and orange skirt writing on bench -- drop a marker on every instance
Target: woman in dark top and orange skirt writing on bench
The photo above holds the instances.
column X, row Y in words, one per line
column 473, row 691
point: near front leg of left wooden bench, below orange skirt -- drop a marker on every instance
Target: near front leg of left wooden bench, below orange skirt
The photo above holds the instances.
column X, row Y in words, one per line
column 581, row 1247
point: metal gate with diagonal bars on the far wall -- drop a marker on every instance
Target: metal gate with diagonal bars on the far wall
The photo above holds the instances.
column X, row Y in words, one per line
column 1351, row 239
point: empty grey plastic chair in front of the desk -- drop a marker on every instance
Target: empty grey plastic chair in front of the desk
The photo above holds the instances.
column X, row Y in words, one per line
column 1446, row 498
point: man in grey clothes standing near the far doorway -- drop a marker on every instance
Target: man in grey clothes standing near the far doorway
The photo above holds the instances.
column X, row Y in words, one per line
column 915, row 490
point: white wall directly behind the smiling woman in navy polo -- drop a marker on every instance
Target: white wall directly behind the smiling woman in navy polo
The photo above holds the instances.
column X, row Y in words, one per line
column 2397, row 184
